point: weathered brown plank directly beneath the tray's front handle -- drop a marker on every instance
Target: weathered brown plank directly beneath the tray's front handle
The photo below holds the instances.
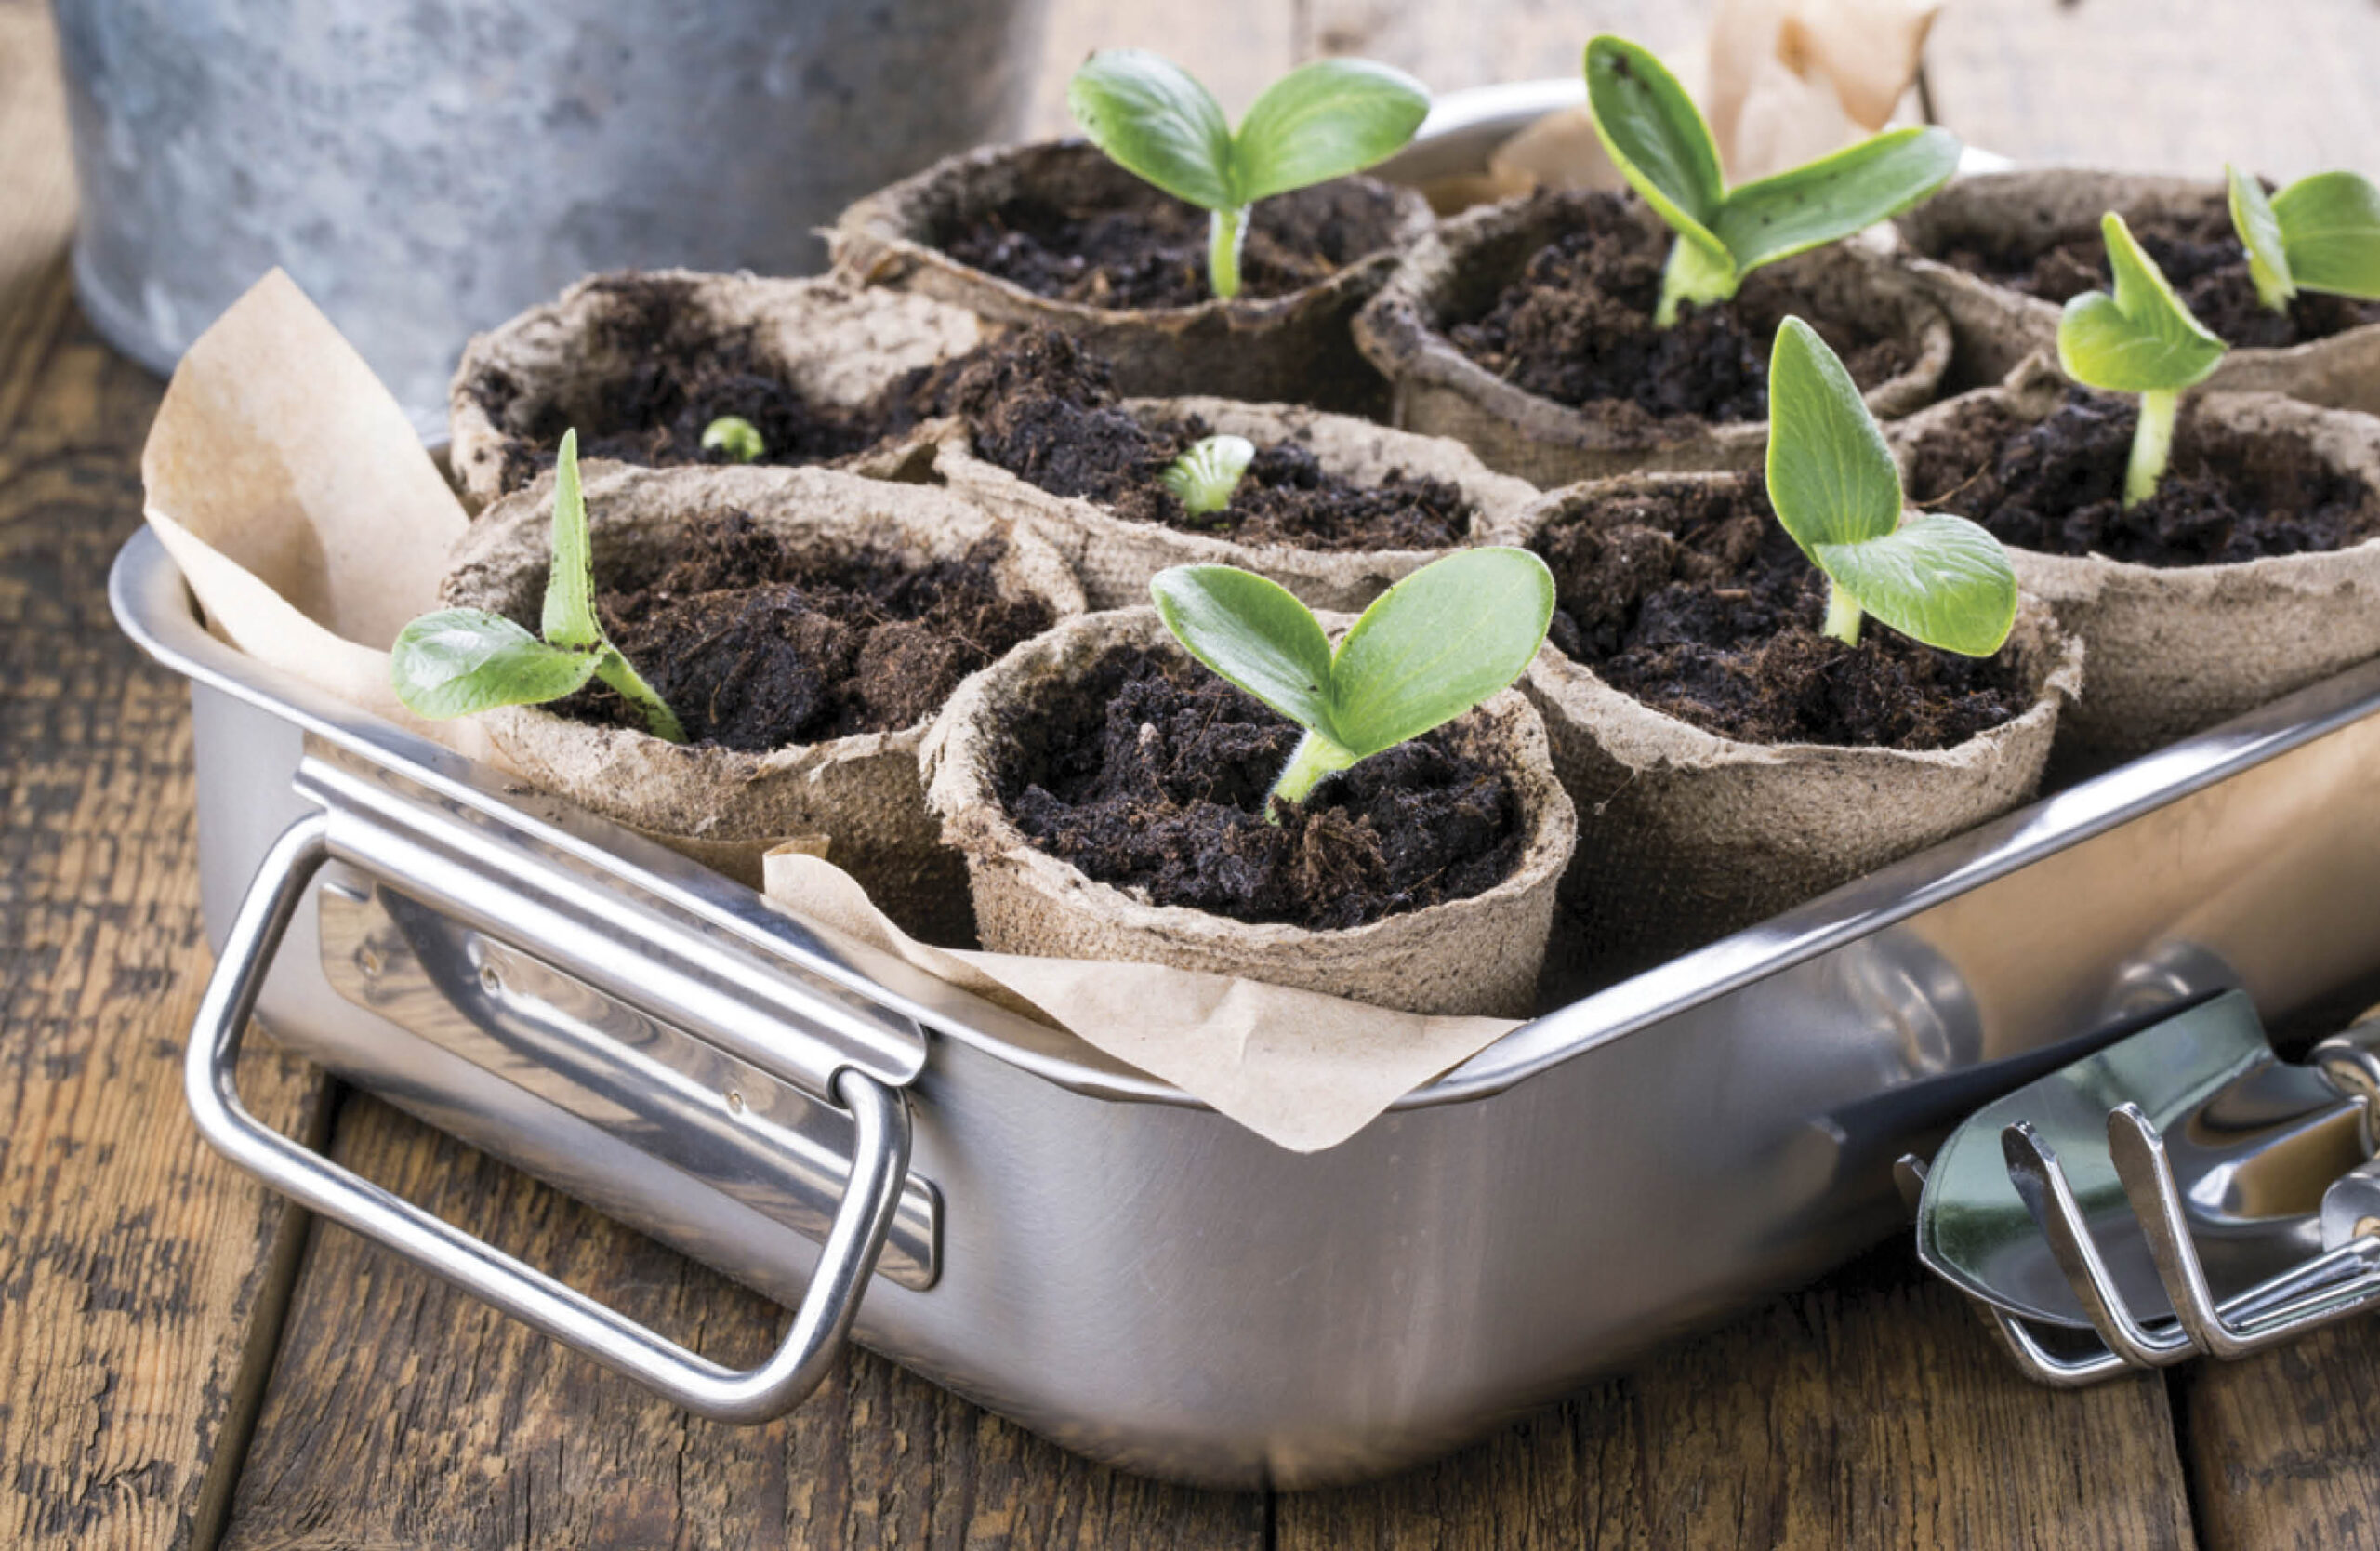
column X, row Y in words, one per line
column 406, row 1414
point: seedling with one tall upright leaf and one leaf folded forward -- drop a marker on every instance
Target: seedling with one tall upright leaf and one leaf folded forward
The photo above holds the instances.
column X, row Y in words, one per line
column 1831, row 479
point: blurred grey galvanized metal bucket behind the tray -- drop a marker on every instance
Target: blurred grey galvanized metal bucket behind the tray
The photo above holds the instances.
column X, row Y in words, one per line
column 430, row 170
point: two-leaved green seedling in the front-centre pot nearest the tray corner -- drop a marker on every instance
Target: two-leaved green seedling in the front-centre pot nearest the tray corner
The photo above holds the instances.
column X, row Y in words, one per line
column 1424, row 653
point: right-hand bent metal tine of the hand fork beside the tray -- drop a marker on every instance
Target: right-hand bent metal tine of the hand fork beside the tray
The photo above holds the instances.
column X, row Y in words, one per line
column 2326, row 1288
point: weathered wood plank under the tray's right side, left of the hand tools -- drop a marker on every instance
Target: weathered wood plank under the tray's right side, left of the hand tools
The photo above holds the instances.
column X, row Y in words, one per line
column 1869, row 1412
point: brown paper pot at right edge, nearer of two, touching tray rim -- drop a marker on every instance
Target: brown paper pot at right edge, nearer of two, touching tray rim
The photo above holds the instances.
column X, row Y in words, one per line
column 2181, row 648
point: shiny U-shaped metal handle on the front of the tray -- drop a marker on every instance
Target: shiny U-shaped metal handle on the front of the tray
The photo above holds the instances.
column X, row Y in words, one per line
column 870, row 1198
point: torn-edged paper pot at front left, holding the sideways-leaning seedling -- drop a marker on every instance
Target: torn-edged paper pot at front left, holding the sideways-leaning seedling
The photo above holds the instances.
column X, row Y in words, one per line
column 727, row 808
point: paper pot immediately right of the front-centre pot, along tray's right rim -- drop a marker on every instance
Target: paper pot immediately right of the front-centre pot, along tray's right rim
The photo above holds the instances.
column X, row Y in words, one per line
column 1689, row 836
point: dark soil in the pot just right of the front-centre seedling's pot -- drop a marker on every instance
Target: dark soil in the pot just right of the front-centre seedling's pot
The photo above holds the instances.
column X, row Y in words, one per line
column 1696, row 601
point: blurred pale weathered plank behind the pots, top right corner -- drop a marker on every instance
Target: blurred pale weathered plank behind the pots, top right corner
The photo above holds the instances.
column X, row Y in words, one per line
column 2165, row 84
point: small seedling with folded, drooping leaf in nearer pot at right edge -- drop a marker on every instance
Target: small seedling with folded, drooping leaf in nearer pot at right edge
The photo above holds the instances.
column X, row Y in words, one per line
column 2138, row 339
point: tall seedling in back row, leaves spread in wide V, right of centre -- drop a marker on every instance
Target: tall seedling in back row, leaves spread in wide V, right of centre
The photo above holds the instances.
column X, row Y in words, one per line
column 1662, row 146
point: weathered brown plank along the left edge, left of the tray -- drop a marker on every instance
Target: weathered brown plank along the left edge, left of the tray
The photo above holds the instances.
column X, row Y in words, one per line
column 132, row 1262
